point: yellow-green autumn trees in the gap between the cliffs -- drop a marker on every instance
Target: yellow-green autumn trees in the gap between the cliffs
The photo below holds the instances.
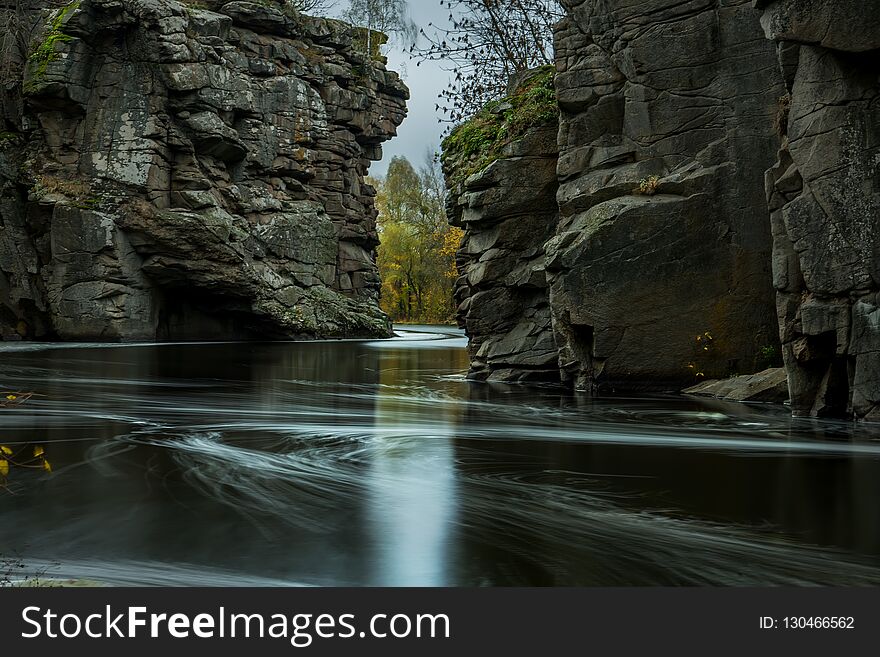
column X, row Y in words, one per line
column 417, row 255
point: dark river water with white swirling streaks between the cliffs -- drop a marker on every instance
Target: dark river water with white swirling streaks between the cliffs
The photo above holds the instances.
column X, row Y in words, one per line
column 377, row 463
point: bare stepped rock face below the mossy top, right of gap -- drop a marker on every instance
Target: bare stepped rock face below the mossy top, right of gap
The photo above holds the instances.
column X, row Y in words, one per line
column 508, row 211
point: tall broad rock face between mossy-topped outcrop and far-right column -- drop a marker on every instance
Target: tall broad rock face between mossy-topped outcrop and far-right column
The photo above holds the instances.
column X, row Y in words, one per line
column 660, row 267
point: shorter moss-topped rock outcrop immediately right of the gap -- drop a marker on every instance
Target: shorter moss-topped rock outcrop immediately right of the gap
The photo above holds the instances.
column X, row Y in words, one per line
column 507, row 208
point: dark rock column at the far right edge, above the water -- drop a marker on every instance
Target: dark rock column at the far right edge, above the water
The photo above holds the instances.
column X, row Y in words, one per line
column 824, row 196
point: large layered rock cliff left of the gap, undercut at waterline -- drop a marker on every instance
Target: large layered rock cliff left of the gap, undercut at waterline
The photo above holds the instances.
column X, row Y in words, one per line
column 174, row 172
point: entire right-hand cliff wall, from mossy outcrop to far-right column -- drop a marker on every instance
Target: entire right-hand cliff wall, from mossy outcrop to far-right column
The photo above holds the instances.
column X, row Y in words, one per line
column 648, row 259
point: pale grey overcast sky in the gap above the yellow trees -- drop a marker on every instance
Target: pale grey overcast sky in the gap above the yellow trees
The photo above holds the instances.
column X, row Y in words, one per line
column 421, row 131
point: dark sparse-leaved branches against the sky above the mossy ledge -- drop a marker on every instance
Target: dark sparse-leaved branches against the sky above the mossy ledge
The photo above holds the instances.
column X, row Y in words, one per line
column 484, row 45
